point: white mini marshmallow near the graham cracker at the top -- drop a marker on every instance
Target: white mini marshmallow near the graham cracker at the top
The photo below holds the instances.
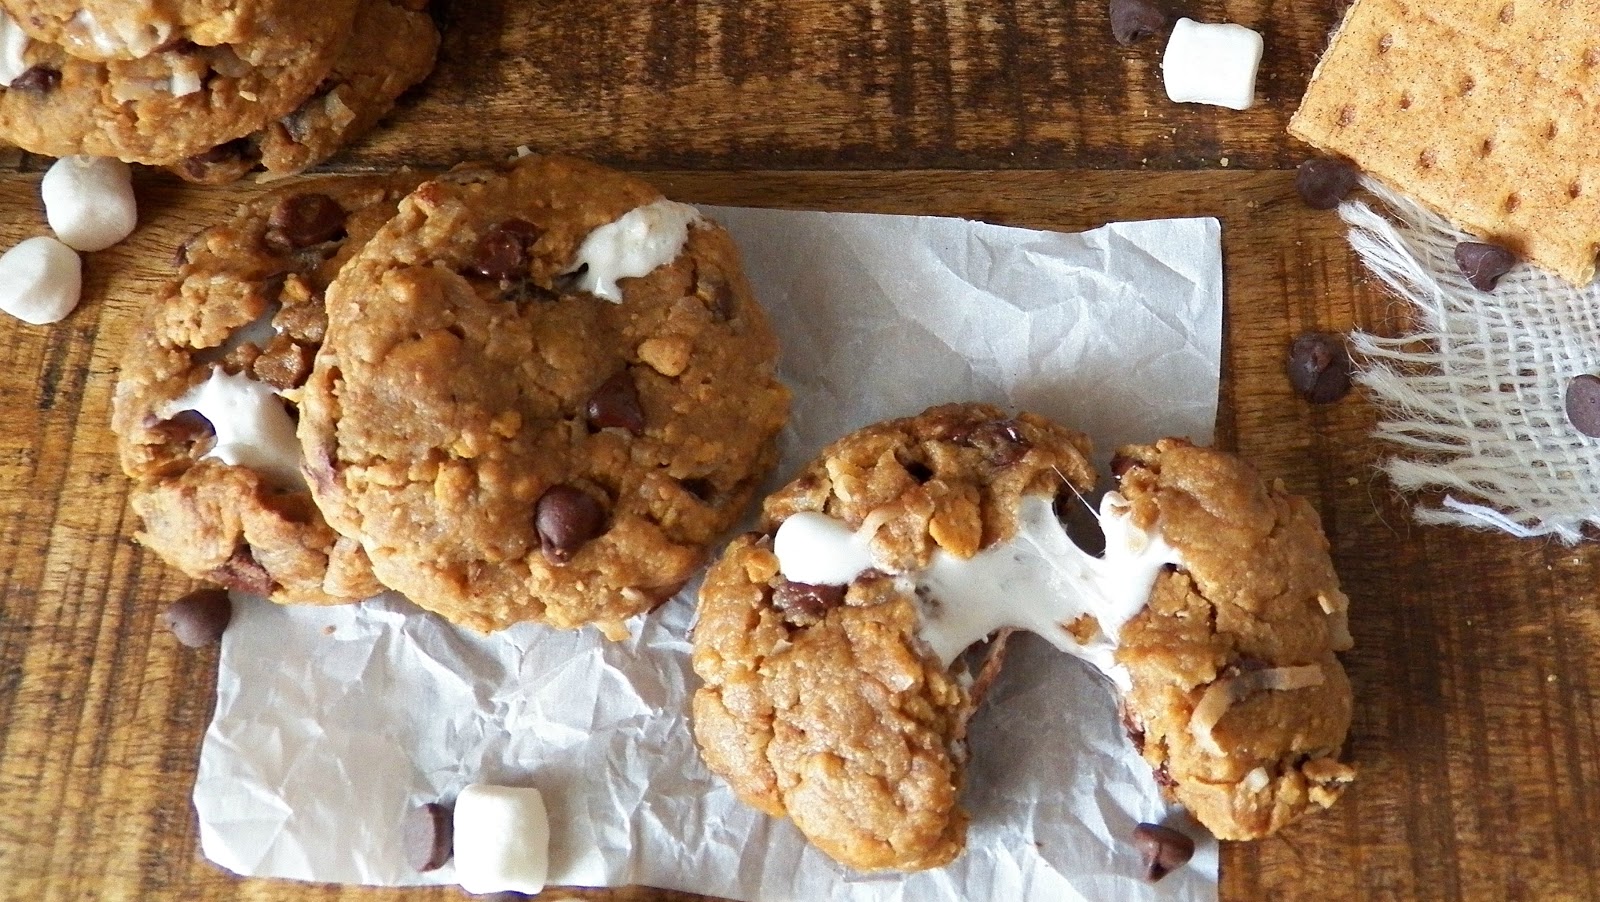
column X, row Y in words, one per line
column 1212, row 65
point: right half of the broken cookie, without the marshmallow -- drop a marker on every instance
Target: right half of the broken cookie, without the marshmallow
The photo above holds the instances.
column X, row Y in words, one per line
column 1238, row 703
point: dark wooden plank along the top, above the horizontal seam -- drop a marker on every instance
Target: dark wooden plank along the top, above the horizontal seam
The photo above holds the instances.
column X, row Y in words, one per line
column 828, row 86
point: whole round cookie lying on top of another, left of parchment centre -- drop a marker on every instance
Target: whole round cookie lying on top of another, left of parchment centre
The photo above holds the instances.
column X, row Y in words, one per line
column 543, row 394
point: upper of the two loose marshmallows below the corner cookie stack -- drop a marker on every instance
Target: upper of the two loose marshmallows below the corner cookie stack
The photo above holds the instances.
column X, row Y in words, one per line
column 89, row 202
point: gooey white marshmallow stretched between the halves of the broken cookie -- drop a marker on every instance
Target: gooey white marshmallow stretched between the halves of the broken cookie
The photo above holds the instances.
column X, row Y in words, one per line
column 1039, row 581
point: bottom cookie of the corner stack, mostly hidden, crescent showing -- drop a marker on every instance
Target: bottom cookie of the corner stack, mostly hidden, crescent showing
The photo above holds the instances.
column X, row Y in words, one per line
column 391, row 50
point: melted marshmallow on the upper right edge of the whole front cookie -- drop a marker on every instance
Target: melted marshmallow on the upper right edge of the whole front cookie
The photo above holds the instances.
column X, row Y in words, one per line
column 634, row 245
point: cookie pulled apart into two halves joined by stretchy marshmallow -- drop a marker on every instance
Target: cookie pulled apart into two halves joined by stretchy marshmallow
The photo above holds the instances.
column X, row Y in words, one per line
column 828, row 641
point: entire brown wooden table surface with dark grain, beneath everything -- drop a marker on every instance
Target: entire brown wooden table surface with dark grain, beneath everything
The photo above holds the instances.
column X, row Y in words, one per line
column 1476, row 655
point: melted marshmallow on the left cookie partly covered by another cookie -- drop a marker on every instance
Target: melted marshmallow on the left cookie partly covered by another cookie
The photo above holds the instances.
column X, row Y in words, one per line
column 250, row 423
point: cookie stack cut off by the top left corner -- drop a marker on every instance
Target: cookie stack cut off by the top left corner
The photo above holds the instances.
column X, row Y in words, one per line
column 210, row 90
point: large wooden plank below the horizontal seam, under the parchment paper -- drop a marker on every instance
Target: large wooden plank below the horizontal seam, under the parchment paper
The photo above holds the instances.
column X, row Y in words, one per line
column 1474, row 665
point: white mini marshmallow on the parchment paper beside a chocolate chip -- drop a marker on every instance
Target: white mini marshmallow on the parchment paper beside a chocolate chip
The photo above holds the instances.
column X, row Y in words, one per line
column 503, row 840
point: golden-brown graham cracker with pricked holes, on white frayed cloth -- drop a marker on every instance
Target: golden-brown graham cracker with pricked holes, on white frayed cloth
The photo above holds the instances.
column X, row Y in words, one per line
column 1486, row 111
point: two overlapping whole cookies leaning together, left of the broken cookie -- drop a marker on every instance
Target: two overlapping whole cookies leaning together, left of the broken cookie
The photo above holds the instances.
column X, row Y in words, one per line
column 526, row 393
